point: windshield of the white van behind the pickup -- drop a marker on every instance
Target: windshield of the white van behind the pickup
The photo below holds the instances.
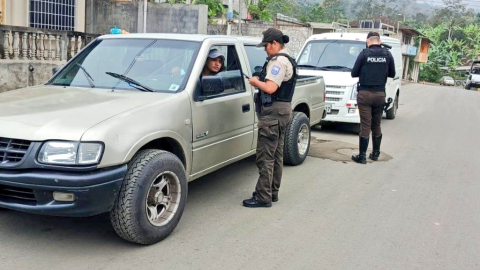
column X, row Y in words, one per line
column 334, row 55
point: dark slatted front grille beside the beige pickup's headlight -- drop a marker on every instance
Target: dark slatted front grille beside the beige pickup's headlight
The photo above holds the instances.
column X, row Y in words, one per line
column 12, row 150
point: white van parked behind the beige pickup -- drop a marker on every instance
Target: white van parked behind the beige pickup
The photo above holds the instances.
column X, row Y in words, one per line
column 333, row 55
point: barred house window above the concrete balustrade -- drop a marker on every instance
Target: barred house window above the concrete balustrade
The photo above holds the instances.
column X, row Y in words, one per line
column 53, row 14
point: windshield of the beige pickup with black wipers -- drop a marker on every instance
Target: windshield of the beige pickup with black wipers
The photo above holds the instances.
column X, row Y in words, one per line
column 131, row 64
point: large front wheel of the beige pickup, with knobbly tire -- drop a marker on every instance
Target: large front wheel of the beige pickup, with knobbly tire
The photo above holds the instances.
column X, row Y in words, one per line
column 155, row 182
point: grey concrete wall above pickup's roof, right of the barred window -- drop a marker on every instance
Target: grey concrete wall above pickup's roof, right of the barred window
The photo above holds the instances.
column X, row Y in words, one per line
column 102, row 15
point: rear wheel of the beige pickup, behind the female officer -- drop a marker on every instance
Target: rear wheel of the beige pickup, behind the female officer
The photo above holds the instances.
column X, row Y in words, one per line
column 297, row 140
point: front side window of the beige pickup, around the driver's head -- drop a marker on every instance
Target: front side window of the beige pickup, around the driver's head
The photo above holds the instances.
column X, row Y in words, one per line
column 229, row 80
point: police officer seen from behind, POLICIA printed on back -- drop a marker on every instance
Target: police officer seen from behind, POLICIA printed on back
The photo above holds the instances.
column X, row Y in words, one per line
column 373, row 66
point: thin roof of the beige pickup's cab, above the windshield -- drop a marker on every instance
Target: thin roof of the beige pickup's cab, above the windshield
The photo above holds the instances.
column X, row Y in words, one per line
column 188, row 37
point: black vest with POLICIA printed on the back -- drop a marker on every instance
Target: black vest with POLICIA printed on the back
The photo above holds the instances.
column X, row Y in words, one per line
column 374, row 68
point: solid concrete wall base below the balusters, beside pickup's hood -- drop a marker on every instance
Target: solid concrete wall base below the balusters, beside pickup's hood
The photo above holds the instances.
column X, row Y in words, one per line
column 16, row 74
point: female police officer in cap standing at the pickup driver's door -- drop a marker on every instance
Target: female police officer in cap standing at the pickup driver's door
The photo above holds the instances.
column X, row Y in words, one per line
column 273, row 106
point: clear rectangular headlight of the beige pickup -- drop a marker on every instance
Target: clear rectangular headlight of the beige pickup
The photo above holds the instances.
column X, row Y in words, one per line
column 70, row 153
